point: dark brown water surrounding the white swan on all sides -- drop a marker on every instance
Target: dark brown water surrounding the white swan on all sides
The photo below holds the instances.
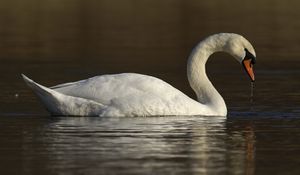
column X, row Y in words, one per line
column 56, row 42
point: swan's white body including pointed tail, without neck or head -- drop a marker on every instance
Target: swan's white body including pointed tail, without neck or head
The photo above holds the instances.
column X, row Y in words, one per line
column 116, row 95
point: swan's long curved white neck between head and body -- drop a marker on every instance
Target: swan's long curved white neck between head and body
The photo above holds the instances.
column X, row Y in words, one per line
column 205, row 91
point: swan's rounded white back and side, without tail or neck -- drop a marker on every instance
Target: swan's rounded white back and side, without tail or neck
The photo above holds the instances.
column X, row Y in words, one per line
column 131, row 94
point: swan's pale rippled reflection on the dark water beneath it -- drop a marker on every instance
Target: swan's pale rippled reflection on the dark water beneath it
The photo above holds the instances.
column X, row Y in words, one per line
column 128, row 145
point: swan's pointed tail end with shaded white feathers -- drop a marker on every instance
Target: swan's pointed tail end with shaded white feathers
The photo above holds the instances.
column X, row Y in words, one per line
column 60, row 104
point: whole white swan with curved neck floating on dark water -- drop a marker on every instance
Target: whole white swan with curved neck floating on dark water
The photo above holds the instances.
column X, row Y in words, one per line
column 131, row 94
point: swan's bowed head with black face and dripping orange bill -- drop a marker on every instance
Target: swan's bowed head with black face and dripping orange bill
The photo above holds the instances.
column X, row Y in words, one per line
column 243, row 51
